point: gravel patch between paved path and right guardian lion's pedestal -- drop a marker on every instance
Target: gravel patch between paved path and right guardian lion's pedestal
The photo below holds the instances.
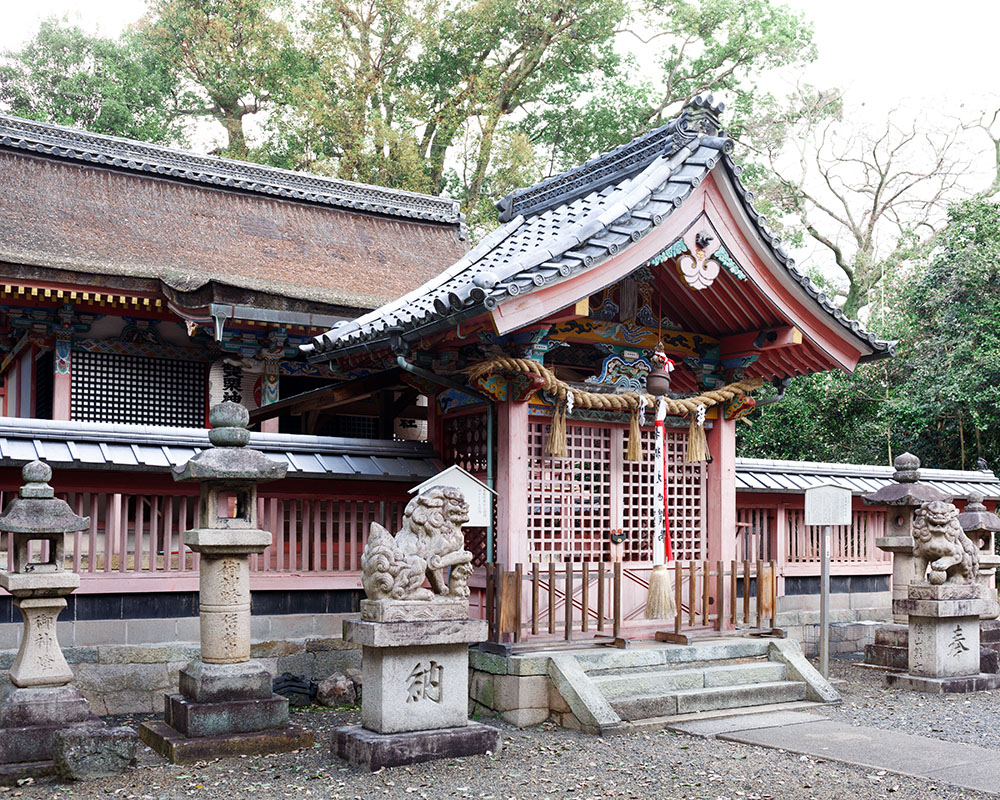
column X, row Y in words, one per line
column 967, row 718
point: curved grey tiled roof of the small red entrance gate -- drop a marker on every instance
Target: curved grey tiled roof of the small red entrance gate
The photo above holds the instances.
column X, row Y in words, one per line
column 571, row 223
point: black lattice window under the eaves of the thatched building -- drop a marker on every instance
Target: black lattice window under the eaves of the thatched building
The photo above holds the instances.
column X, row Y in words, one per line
column 136, row 390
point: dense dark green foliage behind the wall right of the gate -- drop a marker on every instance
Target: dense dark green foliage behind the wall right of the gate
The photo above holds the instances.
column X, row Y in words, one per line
column 938, row 397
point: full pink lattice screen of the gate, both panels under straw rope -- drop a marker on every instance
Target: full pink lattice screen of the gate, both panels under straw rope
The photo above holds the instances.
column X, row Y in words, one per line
column 574, row 503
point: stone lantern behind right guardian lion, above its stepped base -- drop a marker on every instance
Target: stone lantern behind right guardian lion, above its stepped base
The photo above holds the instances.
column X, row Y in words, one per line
column 902, row 498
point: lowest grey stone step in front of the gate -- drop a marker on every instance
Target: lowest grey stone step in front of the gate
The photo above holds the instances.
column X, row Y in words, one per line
column 709, row 699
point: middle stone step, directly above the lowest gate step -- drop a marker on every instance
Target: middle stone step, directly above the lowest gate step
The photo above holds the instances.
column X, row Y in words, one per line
column 663, row 681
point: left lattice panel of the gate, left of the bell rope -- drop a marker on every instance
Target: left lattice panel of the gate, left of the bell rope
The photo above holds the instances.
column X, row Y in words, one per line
column 570, row 510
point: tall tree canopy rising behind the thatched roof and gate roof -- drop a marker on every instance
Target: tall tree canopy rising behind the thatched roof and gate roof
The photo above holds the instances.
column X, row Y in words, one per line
column 472, row 97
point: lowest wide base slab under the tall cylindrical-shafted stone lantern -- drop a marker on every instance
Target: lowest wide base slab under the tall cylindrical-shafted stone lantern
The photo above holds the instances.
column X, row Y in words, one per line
column 179, row 749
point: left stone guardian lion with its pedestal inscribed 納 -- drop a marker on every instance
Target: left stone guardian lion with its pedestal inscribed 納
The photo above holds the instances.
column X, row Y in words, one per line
column 415, row 643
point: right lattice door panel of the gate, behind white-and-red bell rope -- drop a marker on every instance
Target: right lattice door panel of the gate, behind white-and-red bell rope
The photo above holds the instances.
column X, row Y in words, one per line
column 685, row 490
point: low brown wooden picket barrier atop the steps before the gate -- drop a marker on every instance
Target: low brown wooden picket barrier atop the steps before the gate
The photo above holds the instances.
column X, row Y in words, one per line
column 575, row 601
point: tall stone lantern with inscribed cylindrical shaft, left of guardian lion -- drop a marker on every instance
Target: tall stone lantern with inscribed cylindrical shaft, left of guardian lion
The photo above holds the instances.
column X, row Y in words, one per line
column 226, row 705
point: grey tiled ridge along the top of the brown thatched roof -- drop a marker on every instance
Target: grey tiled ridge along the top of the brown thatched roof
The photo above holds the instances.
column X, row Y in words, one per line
column 126, row 154
